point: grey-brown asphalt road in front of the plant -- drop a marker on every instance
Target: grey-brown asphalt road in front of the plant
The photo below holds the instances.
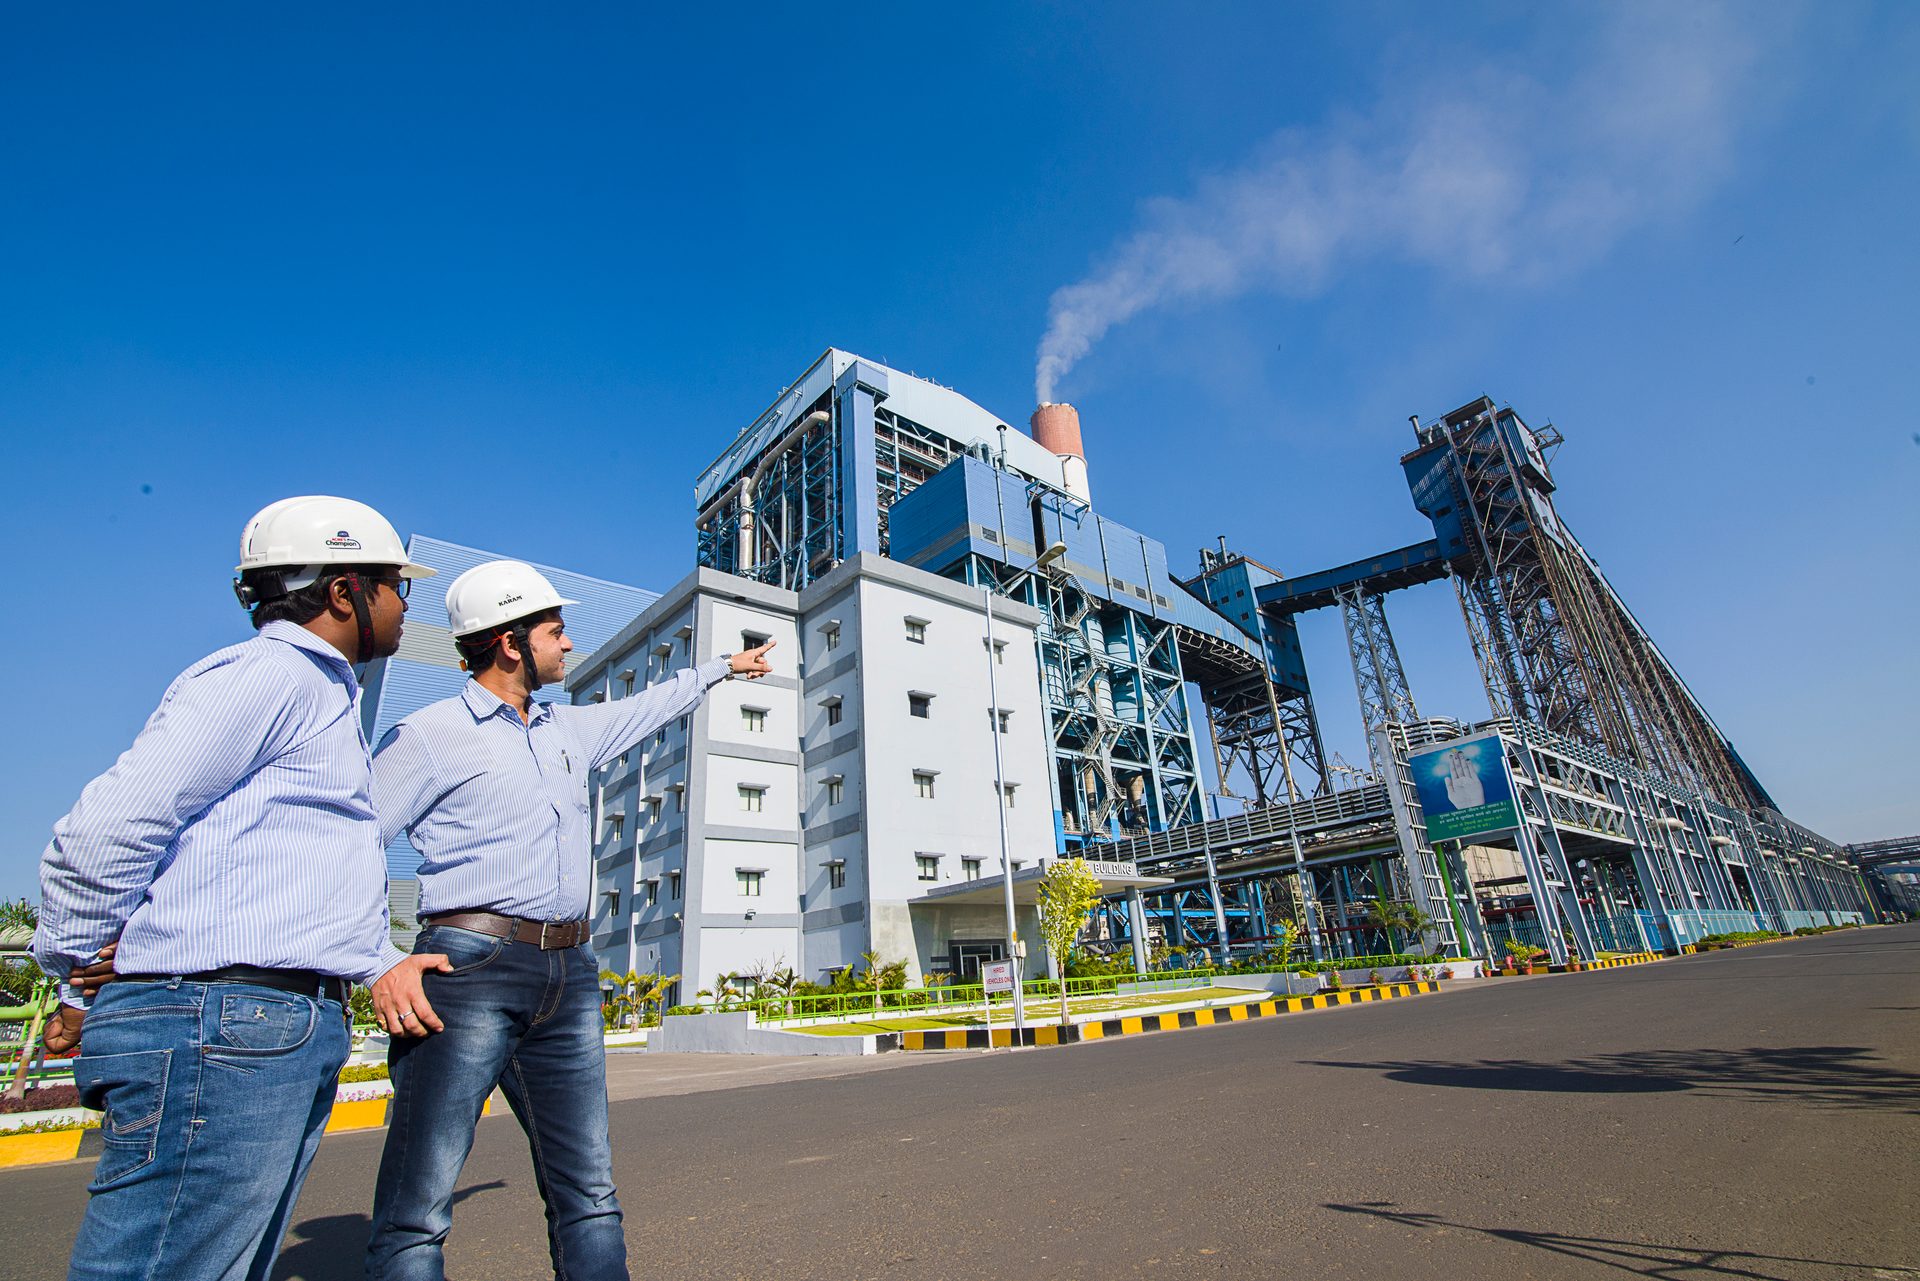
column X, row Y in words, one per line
column 1735, row 1115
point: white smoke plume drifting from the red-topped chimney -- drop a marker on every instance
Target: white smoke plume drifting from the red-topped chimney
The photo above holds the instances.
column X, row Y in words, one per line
column 1472, row 172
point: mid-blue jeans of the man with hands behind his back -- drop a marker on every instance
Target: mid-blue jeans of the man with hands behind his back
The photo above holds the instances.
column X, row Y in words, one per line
column 216, row 1098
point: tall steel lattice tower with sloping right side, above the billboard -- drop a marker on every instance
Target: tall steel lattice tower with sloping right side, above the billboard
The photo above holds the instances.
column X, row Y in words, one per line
column 1554, row 640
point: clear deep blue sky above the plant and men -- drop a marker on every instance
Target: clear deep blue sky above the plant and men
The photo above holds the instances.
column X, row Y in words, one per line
column 517, row 279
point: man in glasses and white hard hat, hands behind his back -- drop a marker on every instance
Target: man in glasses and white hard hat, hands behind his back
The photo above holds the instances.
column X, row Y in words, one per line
column 235, row 858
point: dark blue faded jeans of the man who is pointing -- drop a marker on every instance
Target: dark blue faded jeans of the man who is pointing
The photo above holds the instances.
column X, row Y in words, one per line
column 529, row 1021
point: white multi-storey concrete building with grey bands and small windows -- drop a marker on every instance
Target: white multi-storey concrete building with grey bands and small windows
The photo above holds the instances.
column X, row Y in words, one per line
column 798, row 819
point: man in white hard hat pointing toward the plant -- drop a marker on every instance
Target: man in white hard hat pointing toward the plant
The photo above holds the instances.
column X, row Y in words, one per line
column 492, row 790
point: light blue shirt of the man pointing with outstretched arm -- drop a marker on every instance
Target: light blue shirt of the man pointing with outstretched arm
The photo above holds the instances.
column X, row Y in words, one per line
column 498, row 808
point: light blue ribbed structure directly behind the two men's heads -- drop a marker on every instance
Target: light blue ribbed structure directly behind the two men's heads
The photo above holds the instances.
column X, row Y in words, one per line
column 402, row 687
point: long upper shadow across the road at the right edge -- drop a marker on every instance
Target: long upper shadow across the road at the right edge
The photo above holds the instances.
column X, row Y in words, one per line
column 1836, row 1076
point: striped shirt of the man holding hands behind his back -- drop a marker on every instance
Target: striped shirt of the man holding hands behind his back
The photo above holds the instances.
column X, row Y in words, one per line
column 237, row 831
